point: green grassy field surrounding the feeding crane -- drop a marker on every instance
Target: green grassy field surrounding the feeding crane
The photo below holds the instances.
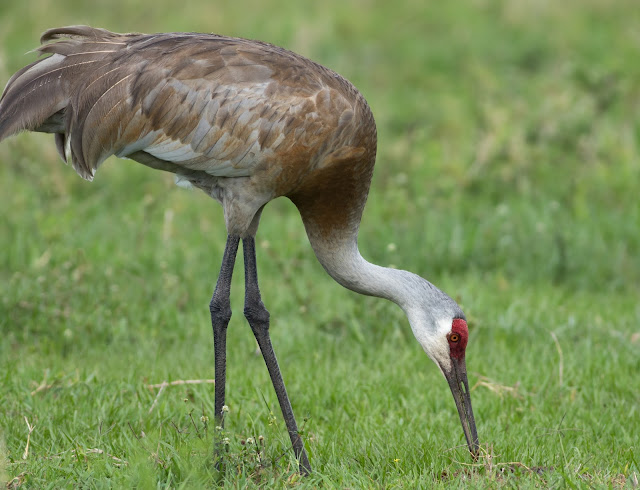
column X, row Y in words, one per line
column 508, row 174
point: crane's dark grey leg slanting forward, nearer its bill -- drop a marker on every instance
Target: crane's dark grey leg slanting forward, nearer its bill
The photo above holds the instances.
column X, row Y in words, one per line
column 258, row 318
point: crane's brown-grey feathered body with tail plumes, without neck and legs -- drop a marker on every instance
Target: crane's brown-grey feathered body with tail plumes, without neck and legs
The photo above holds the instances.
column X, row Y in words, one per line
column 243, row 120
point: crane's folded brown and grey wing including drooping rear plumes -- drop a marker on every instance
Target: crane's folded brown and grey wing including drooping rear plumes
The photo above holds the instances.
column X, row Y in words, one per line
column 205, row 102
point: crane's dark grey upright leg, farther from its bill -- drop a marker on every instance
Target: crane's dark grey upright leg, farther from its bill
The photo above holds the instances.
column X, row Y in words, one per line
column 220, row 315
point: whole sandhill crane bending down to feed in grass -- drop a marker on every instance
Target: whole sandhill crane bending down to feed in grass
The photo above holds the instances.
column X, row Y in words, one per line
column 246, row 122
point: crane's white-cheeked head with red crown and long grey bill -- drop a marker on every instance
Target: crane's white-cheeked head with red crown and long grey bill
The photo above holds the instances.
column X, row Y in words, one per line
column 445, row 341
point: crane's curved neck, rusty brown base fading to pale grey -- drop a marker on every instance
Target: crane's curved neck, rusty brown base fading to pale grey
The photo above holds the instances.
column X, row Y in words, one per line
column 331, row 200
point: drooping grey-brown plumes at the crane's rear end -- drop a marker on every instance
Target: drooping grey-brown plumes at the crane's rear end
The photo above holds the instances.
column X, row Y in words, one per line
column 50, row 95
